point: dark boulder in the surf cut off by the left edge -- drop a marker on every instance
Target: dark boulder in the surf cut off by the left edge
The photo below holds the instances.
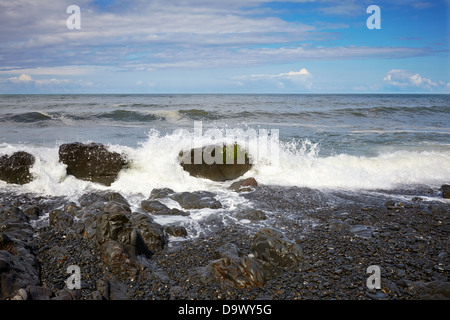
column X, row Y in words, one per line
column 16, row 167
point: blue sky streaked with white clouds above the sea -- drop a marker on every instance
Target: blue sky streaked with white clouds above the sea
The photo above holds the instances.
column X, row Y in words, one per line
column 224, row 46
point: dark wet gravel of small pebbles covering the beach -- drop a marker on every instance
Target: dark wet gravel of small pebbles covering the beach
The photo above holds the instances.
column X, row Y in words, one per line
column 405, row 233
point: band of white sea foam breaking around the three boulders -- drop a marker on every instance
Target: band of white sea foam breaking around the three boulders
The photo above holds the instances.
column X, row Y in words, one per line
column 155, row 164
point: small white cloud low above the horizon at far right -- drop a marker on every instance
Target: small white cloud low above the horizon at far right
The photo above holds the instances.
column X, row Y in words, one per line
column 404, row 78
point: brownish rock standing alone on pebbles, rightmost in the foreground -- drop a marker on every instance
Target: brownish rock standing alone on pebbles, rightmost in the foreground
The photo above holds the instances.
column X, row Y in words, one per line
column 272, row 248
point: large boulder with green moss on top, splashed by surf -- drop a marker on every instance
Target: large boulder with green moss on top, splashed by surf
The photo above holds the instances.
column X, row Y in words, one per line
column 217, row 163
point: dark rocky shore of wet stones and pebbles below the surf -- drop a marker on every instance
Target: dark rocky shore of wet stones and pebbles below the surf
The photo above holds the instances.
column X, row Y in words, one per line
column 295, row 243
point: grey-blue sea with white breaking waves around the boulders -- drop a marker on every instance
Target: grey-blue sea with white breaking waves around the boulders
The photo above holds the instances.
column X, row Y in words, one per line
column 351, row 143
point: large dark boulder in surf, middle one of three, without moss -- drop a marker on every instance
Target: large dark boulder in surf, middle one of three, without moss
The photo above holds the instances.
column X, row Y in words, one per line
column 91, row 162
